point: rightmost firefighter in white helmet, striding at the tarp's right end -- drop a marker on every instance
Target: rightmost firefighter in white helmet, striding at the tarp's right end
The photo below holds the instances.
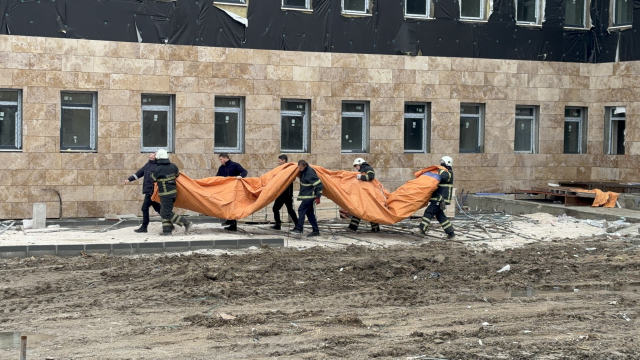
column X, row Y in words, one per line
column 440, row 198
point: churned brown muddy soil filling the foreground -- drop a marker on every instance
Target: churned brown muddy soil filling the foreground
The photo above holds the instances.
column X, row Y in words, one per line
column 432, row 300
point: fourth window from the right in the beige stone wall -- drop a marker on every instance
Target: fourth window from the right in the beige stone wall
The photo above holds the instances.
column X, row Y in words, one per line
column 471, row 128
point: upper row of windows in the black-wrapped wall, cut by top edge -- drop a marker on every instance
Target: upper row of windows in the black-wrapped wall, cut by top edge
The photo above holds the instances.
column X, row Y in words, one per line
column 527, row 11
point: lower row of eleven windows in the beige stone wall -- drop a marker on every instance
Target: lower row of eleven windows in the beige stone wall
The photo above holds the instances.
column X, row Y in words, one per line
column 79, row 125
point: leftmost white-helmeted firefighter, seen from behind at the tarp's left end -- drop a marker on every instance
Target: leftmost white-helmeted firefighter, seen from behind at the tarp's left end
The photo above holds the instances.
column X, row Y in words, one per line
column 165, row 175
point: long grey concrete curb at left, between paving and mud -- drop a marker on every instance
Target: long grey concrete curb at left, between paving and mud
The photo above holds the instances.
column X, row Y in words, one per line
column 21, row 251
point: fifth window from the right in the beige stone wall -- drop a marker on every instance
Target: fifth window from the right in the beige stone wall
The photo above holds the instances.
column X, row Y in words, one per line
column 417, row 126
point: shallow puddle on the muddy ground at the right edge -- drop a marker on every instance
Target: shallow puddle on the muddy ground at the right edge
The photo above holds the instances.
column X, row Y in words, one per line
column 554, row 290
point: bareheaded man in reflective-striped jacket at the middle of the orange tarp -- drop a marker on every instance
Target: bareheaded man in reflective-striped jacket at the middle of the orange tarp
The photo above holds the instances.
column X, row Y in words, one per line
column 310, row 193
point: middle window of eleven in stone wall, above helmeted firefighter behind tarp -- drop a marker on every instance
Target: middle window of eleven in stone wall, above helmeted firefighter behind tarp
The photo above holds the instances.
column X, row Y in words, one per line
column 354, row 126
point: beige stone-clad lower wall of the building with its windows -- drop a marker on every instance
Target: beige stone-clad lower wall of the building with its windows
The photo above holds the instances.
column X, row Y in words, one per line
column 78, row 116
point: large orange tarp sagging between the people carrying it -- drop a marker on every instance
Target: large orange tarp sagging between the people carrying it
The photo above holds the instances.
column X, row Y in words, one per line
column 230, row 198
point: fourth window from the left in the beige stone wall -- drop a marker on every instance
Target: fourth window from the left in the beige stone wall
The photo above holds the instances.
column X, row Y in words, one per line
column 229, row 124
